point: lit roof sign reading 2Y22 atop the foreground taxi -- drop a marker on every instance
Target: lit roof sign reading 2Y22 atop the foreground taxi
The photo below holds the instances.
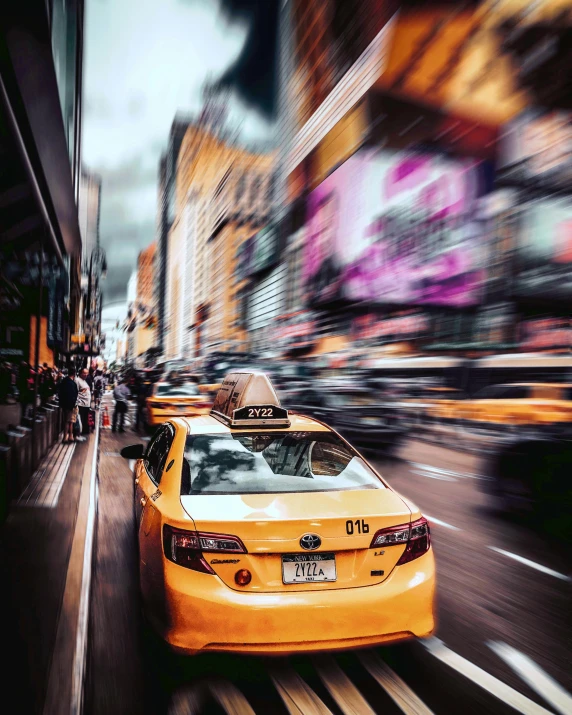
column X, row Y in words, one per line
column 247, row 399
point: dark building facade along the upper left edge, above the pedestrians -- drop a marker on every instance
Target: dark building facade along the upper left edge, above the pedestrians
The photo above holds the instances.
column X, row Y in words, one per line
column 40, row 111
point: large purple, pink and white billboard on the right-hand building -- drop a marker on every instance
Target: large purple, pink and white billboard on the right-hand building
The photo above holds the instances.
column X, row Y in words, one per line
column 396, row 228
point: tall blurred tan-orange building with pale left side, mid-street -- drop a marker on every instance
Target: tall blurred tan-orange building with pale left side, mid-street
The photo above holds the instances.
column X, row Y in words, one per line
column 222, row 192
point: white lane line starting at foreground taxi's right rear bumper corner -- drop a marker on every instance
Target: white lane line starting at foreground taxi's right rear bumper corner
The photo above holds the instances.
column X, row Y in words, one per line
column 485, row 680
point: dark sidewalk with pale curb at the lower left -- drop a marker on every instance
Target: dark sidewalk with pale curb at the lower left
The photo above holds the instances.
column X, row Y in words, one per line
column 36, row 552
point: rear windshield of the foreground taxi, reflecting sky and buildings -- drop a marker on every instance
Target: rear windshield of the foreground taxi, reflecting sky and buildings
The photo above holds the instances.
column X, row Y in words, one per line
column 272, row 462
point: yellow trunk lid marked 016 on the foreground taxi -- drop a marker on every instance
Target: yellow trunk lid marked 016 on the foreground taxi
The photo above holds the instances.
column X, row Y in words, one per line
column 271, row 526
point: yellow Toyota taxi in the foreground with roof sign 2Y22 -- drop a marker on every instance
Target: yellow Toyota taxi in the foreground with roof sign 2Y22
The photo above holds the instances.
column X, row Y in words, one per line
column 261, row 531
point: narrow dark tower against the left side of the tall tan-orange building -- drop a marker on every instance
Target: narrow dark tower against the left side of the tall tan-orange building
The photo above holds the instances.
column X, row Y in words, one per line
column 165, row 217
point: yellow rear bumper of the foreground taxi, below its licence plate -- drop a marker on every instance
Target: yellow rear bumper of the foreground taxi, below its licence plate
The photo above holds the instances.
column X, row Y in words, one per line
column 200, row 613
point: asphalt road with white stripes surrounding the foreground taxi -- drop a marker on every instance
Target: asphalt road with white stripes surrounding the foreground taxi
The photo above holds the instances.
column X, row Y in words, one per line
column 503, row 642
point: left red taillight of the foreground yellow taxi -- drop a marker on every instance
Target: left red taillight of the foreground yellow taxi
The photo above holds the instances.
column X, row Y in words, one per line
column 185, row 548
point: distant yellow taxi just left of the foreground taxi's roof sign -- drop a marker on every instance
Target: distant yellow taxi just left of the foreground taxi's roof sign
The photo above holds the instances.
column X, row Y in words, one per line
column 175, row 399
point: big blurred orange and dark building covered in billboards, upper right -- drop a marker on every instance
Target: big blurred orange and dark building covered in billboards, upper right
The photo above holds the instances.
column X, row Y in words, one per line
column 395, row 226
